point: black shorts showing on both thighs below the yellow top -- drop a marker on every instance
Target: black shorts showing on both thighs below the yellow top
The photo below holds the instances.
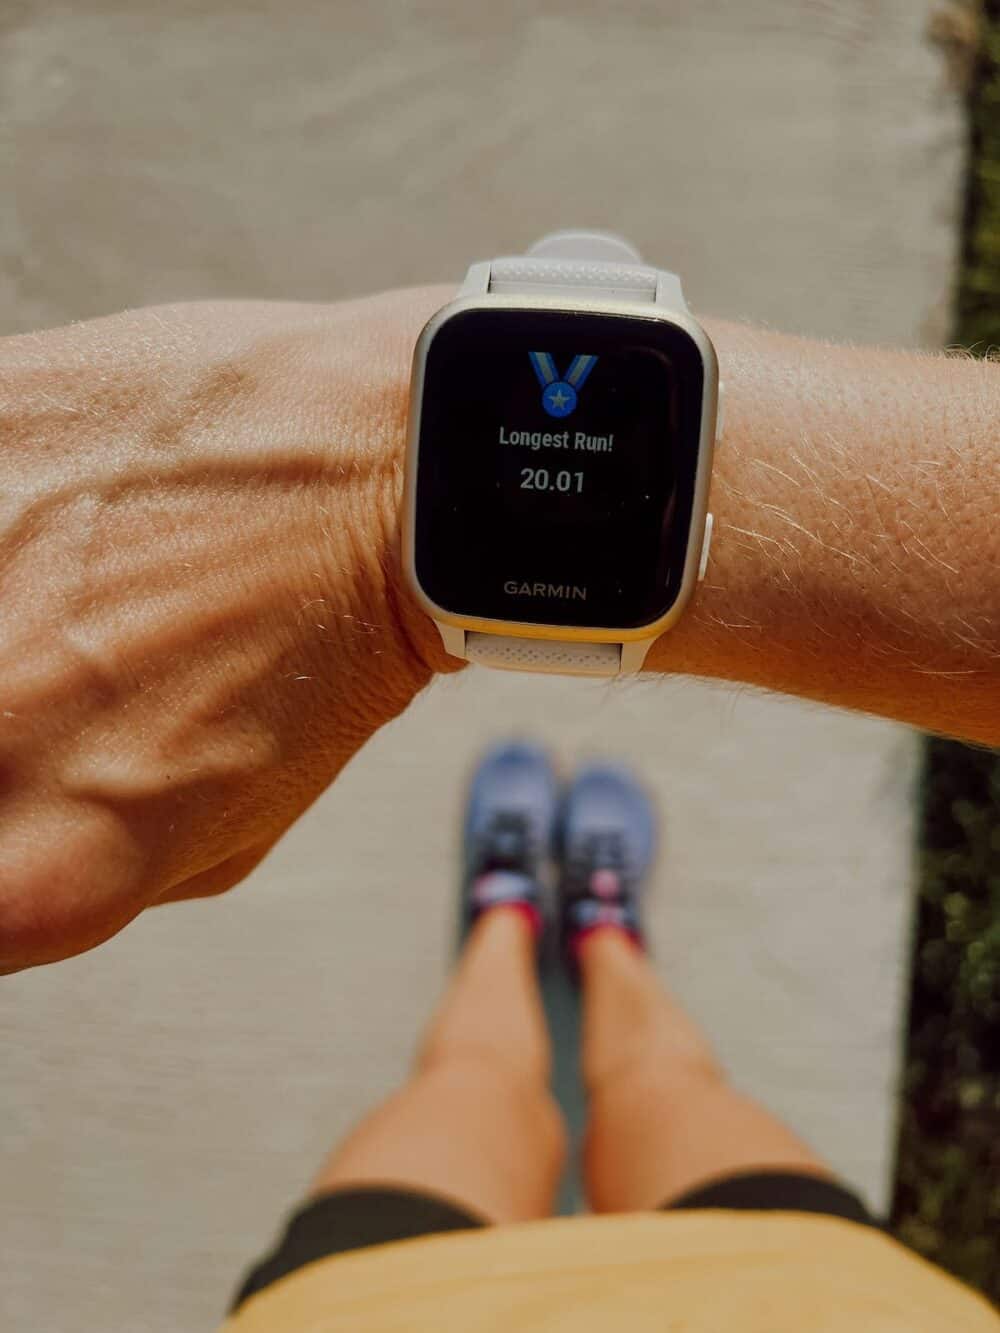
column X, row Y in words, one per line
column 353, row 1219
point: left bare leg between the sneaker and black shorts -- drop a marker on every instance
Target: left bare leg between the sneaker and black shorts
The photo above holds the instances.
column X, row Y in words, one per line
column 477, row 1122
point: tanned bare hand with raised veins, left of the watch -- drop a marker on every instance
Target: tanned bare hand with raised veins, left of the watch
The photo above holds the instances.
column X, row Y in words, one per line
column 202, row 615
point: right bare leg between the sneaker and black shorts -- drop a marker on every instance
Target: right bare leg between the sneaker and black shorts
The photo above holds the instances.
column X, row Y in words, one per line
column 663, row 1118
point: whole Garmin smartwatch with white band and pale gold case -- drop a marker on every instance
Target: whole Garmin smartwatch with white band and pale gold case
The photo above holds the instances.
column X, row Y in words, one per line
column 562, row 421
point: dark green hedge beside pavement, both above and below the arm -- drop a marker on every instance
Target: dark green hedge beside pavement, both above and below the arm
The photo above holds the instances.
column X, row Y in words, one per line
column 947, row 1200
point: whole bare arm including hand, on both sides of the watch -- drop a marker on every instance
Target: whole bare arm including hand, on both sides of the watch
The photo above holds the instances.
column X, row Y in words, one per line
column 202, row 617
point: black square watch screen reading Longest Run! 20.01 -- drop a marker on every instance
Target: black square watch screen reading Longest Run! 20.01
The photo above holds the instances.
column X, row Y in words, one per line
column 557, row 467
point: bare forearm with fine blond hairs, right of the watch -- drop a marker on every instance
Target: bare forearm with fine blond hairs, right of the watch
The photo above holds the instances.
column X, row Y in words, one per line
column 857, row 550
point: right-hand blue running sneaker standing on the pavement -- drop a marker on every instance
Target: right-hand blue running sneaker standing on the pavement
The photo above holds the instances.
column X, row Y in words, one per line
column 607, row 838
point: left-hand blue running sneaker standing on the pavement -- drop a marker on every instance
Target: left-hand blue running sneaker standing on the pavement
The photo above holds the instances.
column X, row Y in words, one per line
column 510, row 832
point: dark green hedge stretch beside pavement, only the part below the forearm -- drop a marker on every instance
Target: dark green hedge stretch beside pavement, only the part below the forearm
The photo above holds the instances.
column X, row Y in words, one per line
column 949, row 1170
